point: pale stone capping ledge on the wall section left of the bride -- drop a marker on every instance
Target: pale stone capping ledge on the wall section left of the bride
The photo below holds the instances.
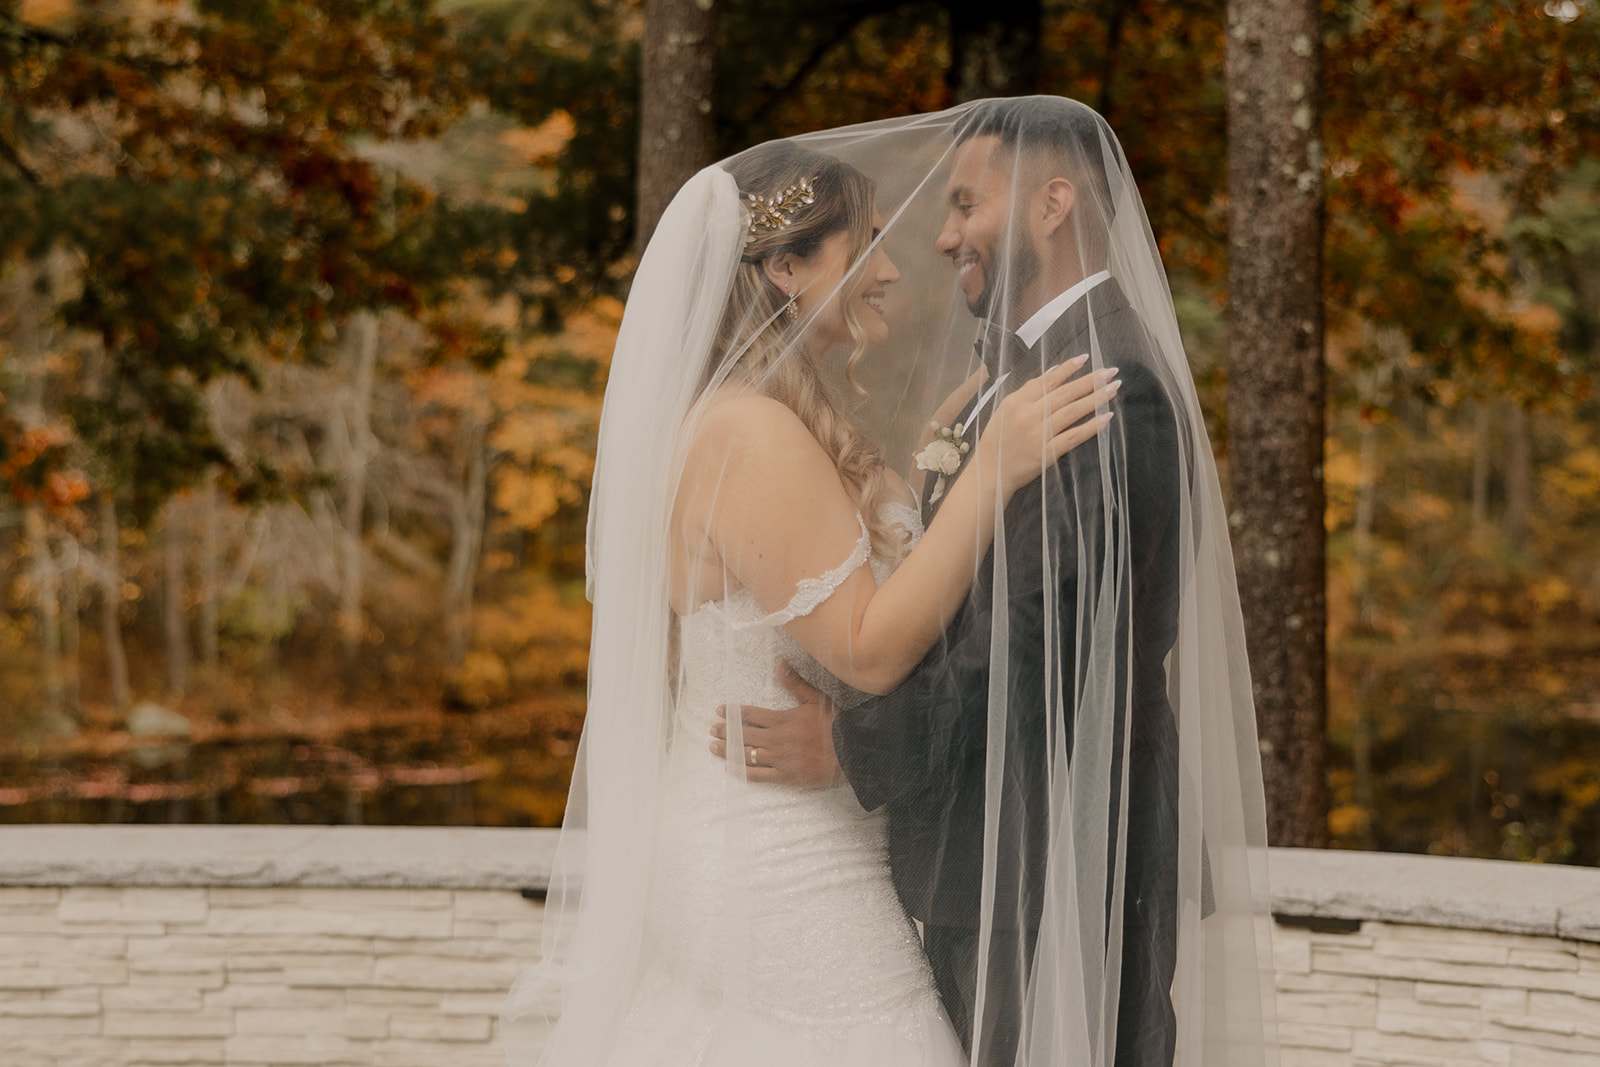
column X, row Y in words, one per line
column 434, row 858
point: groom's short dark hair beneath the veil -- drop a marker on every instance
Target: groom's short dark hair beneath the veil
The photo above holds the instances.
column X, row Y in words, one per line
column 1054, row 130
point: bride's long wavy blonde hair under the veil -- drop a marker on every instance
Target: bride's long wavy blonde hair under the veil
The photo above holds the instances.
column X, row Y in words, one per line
column 761, row 337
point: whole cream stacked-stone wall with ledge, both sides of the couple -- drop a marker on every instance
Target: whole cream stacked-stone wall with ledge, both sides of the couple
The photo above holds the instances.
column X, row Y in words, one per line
column 394, row 948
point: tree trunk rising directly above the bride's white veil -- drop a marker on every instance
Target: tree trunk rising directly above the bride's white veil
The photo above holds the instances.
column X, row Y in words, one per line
column 678, row 132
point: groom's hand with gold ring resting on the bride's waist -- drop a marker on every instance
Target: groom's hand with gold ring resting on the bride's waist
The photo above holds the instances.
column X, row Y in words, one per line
column 791, row 746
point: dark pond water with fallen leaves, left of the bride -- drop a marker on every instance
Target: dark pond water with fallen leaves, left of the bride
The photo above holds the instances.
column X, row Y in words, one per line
column 439, row 769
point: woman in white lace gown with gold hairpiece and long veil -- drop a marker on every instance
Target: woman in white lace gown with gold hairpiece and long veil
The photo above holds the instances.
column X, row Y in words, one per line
column 775, row 390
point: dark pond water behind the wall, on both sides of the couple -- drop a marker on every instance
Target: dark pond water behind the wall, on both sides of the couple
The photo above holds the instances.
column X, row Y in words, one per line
column 1447, row 757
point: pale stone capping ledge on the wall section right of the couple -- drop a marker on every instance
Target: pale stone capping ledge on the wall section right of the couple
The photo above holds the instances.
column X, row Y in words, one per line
column 1546, row 900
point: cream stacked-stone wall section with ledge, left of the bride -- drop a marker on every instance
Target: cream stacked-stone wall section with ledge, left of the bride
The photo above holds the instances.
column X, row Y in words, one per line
column 262, row 946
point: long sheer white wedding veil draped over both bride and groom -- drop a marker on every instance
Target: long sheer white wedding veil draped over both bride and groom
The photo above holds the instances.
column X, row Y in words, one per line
column 1049, row 759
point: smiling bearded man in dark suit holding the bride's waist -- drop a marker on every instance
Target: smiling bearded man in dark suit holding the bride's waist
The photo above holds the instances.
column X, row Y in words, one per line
column 1028, row 231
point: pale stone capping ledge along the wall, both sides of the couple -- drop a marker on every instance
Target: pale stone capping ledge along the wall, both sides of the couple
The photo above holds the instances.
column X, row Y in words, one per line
column 1542, row 900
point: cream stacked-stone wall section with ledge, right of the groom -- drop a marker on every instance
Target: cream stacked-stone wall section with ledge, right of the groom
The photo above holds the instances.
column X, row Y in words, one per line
column 1436, row 962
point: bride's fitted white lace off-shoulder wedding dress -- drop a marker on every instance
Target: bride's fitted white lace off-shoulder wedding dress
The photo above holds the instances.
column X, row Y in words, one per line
column 774, row 933
